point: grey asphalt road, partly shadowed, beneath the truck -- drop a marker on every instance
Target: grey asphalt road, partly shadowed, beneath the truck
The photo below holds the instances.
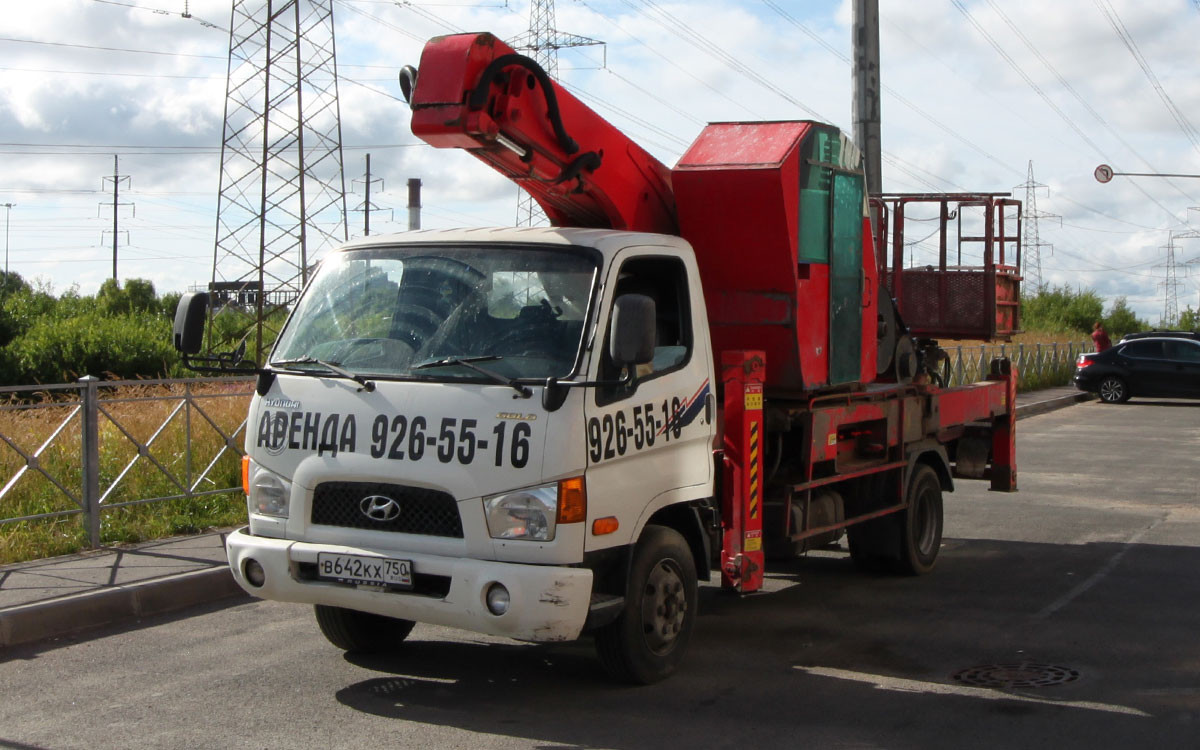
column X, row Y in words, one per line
column 1082, row 591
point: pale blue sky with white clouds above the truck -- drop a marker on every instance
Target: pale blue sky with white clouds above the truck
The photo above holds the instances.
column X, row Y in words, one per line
column 975, row 92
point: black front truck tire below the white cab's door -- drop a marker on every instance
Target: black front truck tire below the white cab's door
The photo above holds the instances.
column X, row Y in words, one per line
column 647, row 643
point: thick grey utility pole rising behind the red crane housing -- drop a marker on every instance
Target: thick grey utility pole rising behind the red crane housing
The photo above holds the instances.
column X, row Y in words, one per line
column 866, row 71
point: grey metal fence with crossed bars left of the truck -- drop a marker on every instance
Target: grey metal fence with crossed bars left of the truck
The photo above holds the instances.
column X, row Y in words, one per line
column 97, row 446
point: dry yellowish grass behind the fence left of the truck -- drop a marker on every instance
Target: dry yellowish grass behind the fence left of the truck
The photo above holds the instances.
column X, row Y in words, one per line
column 159, row 416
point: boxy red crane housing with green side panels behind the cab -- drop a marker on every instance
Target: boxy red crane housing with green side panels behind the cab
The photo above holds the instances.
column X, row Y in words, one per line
column 754, row 201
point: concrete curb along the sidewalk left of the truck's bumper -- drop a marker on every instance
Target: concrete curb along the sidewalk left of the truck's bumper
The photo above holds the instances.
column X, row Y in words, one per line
column 121, row 604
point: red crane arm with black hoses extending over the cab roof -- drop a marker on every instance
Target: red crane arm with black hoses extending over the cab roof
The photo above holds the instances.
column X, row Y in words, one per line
column 475, row 93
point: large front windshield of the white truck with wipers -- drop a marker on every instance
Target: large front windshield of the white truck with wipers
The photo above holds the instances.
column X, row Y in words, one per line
column 433, row 311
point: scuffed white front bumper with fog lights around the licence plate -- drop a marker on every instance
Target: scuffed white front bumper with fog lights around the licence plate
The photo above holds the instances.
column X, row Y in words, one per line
column 548, row 603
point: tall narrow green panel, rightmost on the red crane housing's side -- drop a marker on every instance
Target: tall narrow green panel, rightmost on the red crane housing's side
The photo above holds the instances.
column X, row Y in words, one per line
column 847, row 279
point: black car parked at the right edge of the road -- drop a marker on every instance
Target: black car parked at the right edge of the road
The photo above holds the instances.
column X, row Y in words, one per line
column 1143, row 367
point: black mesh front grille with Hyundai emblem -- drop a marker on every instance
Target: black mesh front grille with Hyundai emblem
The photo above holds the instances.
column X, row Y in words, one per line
column 422, row 512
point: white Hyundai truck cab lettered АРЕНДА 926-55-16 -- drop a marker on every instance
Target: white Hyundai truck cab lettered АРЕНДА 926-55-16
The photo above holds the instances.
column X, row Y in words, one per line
column 442, row 435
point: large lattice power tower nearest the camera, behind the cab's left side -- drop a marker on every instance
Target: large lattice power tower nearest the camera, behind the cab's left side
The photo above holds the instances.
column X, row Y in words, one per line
column 283, row 197
